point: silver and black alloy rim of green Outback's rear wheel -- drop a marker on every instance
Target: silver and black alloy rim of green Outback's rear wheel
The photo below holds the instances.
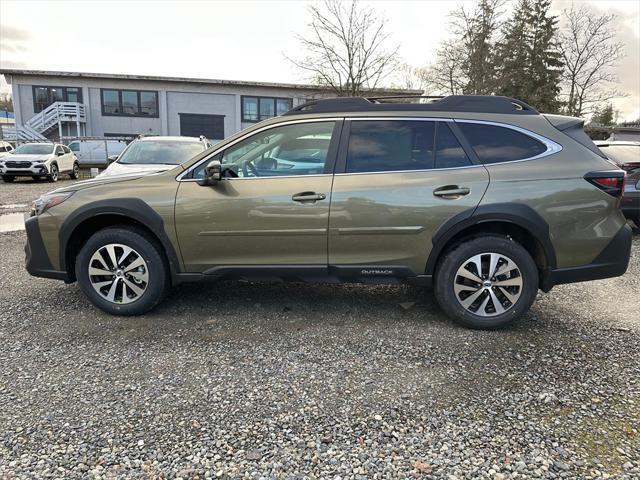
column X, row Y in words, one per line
column 488, row 284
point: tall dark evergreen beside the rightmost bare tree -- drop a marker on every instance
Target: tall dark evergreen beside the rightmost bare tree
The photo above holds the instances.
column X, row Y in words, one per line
column 529, row 61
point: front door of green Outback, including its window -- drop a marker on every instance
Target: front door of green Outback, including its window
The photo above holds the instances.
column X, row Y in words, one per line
column 270, row 208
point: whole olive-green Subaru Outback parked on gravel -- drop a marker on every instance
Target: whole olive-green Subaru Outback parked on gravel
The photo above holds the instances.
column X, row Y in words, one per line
column 481, row 197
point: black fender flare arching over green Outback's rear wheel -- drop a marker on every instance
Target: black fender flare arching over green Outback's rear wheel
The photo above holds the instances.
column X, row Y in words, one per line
column 514, row 213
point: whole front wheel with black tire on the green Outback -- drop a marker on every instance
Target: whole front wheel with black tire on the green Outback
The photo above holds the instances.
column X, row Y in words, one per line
column 125, row 299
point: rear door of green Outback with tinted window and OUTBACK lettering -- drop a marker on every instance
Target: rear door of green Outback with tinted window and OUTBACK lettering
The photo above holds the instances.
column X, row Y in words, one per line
column 397, row 181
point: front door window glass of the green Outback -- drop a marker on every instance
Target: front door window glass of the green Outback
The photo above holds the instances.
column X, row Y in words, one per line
column 298, row 149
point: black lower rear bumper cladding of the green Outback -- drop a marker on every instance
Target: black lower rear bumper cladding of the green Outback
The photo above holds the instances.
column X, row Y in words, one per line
column 611, row 262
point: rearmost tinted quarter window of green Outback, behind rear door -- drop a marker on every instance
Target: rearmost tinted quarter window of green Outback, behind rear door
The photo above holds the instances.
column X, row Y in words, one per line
column 494, row 144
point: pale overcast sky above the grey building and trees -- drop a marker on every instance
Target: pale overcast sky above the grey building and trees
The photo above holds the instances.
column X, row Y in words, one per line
column 235, row 40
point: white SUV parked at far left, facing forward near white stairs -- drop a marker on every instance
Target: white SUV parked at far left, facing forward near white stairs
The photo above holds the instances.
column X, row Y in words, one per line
column 39, row 160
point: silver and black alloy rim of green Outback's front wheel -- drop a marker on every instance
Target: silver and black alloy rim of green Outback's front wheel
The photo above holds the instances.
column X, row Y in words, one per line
column 118, row 273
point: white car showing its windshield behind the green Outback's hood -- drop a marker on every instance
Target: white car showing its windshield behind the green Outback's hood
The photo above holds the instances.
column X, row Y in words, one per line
column 156, row 154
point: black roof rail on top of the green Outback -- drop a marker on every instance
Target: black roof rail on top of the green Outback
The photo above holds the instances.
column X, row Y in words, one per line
column 451, row 103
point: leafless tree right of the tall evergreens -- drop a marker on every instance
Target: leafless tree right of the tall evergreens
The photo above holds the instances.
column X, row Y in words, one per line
column 590, row 52
